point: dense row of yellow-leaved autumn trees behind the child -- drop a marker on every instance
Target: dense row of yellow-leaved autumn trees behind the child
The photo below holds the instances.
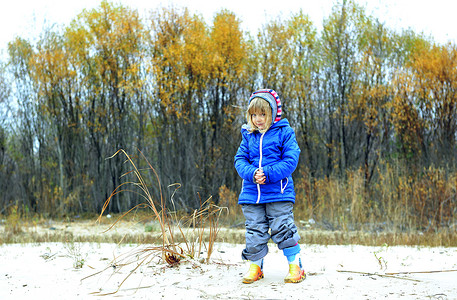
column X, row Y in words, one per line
column 374, row 111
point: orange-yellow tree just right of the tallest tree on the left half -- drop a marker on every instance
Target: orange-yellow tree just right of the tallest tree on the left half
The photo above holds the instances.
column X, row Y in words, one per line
column 177, row 58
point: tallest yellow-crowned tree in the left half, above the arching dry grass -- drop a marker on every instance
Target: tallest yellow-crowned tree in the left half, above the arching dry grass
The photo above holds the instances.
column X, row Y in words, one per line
column 104, row 45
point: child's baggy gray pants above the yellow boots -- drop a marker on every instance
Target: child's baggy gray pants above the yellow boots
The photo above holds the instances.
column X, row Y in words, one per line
column 260, row 219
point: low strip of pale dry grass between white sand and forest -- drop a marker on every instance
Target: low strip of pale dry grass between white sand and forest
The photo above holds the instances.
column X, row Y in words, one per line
column 75, row 232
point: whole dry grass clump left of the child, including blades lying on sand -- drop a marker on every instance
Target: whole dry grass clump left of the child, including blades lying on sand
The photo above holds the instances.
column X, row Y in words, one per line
column 178, row 239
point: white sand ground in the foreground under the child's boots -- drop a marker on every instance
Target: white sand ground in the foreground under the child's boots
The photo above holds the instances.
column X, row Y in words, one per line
column 46, row 271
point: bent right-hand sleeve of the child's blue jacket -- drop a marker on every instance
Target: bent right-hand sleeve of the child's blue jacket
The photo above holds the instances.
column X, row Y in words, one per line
column 287, row 165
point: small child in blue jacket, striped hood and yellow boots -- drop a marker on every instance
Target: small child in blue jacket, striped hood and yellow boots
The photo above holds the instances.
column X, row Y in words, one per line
column 265, row 160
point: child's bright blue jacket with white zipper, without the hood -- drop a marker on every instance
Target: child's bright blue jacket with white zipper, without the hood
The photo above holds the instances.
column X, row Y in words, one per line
column 277, row 152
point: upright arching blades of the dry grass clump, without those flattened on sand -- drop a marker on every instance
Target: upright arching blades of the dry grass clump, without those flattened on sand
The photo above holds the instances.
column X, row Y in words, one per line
column 204, row 221
